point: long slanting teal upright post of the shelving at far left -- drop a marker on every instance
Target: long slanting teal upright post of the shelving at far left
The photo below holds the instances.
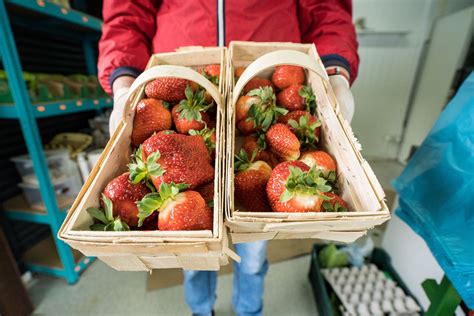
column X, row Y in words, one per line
column 32, row 138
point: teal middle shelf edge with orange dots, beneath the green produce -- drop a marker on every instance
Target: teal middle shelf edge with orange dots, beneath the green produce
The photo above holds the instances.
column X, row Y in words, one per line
column 48, row 109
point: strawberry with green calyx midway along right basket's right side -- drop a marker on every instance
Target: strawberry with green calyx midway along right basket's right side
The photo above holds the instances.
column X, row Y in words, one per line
column 304, row 125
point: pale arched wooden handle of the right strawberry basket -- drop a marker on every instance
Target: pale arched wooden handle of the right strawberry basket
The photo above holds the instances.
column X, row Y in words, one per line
column 270, row 60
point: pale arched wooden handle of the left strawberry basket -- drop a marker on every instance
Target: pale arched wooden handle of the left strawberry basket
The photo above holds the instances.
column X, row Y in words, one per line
column 171, row 71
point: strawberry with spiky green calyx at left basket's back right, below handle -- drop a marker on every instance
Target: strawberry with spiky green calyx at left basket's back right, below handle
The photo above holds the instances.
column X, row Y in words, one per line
column 189, row 113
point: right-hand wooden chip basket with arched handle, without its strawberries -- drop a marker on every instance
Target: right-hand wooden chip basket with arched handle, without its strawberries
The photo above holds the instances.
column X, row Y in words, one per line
column 359, row 186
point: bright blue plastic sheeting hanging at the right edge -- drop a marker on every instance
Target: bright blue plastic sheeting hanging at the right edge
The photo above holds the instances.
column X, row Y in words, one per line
column 437, row 191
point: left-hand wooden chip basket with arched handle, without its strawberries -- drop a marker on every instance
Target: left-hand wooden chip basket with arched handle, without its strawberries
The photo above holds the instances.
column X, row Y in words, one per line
column 146, row 250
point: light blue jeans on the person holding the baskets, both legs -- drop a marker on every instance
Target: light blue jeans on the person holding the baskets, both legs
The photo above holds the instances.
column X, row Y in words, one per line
column 249, row 275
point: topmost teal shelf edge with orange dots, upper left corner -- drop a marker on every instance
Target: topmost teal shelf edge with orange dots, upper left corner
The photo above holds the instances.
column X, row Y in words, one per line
column 48, row 9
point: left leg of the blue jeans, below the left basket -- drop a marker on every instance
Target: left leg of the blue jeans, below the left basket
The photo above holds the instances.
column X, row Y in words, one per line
column 200, row 291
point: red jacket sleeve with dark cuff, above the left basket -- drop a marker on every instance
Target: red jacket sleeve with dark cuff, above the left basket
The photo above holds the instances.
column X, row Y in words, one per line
column 127, row 34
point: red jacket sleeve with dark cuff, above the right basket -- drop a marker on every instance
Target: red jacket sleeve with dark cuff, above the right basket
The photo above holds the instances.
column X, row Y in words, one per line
column 328, row 24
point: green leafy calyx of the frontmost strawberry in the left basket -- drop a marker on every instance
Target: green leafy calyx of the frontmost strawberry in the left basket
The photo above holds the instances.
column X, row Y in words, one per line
column 155, row 200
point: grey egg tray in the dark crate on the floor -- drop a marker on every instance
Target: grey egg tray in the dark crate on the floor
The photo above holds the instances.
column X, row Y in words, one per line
column 368, row 291
